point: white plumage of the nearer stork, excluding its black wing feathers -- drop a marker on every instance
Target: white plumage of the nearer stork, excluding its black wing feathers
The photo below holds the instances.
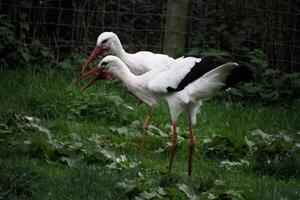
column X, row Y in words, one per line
column 151, row 86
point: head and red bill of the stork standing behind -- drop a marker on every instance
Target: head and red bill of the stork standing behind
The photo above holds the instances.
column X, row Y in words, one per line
column 107, row 43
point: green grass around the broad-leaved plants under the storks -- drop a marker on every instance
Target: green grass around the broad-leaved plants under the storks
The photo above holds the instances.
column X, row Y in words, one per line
column 49, row 95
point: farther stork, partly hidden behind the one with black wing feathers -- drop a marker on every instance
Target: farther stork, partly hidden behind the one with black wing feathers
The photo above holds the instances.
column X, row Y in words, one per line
column 108, row 43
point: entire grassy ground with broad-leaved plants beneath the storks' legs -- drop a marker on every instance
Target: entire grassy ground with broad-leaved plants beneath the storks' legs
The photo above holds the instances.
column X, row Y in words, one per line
column 57, row 143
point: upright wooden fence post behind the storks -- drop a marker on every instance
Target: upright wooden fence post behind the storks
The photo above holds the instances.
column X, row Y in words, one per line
column 175, row 26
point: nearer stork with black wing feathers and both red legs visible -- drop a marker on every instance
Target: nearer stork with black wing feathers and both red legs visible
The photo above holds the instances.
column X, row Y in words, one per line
column 183, row 86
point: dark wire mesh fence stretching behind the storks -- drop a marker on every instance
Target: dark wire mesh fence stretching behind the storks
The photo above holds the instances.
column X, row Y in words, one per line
column 236, row 26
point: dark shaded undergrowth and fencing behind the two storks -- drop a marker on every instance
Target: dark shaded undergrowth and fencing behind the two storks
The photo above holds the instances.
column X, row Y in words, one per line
column 37, row 34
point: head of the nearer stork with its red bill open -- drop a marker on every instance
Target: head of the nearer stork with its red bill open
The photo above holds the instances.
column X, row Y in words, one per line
column 104, row 70
